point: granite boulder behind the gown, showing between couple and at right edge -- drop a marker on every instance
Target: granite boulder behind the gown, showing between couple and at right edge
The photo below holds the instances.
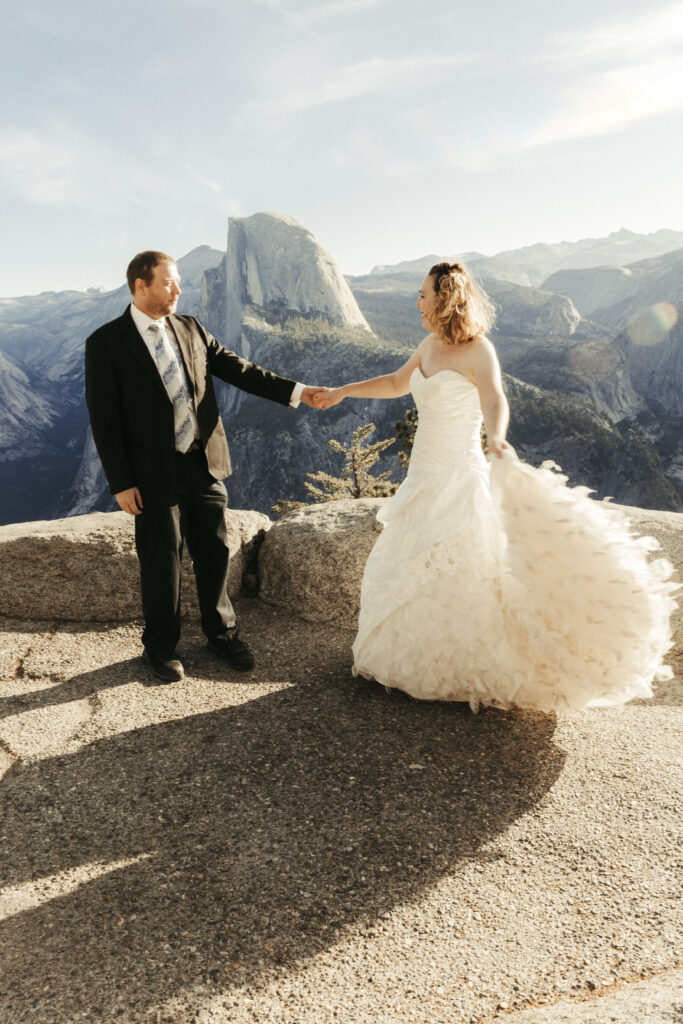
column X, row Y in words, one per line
column 312, row 561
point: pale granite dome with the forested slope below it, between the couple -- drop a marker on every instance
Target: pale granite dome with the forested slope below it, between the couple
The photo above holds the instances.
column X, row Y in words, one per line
column 281, row 301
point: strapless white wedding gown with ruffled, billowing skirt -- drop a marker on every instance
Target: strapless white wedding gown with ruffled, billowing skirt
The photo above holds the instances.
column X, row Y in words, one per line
column 496, row 584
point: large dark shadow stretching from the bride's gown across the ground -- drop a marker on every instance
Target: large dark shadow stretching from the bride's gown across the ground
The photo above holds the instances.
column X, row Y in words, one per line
column 262, row 832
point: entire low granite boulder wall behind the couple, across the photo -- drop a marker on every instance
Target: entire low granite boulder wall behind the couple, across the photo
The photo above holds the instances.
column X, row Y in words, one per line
column 310, row 564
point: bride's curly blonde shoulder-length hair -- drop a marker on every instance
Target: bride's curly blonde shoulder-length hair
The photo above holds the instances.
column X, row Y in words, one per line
column 463, row 310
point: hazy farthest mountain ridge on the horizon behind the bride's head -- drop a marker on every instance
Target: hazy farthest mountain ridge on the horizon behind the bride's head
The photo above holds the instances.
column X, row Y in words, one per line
column 533, row 265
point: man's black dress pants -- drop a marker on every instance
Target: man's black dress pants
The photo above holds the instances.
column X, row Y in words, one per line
column 196, row 515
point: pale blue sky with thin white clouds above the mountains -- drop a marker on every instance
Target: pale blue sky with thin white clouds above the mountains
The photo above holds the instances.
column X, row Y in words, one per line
column 391, row 129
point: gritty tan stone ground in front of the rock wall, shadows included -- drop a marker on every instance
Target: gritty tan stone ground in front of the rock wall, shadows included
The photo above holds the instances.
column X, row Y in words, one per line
column 293, row 846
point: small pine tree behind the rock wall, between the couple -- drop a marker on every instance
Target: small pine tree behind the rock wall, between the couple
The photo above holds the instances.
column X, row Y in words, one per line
column 356, row 482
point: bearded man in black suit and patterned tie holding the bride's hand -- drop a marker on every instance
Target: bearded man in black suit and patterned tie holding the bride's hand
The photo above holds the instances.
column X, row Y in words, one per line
column 149, row 383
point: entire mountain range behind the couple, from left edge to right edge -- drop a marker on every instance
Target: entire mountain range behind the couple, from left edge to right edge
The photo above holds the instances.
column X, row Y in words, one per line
column 605, row 404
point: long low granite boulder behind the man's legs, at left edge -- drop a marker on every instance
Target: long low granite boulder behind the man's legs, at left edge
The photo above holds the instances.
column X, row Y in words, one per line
column 86, row 569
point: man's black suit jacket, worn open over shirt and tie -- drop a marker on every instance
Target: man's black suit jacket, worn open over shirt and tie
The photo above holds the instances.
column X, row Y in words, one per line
column 132, row 414
